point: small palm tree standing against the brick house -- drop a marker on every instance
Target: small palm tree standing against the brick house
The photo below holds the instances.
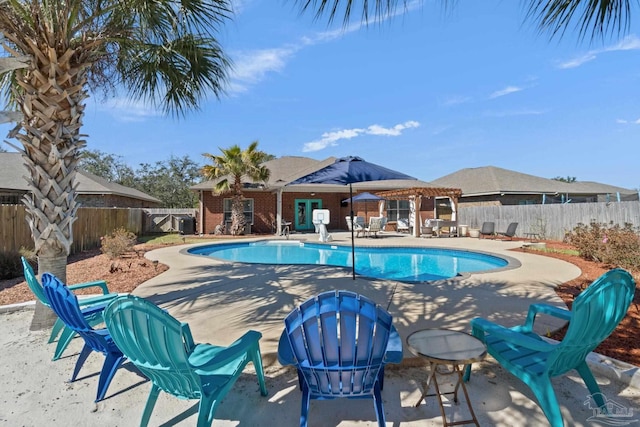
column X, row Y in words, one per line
column 229, row 168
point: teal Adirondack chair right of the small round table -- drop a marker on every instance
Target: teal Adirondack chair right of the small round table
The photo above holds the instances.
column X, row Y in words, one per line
column 595, row 314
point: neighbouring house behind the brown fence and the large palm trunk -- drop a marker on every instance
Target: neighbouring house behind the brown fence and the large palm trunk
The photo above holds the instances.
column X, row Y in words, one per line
column 92, row 191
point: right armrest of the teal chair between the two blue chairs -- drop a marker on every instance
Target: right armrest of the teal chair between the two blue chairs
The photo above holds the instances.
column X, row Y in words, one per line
column 206, row 357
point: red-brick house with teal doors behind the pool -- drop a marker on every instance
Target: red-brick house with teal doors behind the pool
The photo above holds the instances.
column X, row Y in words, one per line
column 267, row 204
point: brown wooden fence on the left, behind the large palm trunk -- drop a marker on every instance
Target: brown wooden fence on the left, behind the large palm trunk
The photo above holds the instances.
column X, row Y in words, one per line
column 91, row 224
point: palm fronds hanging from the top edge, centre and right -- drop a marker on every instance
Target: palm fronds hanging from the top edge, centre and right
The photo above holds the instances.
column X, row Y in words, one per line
column 595, row 17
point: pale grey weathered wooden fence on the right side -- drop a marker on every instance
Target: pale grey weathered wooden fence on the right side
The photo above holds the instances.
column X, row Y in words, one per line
column 551, row 221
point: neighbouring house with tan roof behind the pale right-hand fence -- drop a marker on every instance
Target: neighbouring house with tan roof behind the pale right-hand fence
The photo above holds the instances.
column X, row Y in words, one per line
column 491, row 185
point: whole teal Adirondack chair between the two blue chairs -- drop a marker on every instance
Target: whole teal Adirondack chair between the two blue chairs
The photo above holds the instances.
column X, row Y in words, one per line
column 163, row 350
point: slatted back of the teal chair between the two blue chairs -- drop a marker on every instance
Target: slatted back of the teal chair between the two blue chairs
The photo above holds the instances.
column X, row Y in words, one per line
column 156, row 342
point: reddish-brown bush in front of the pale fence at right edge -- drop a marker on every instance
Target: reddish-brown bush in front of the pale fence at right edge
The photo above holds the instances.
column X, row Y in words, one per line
column 610, row 244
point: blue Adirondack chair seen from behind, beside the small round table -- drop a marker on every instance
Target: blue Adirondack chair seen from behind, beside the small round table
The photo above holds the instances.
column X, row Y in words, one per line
column 339, row 342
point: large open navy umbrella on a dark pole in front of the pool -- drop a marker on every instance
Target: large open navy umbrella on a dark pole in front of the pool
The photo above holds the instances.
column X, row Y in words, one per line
column 349, row 170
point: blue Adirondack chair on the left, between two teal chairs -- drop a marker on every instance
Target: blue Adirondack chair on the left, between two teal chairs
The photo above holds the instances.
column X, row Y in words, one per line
column 65, row 304
